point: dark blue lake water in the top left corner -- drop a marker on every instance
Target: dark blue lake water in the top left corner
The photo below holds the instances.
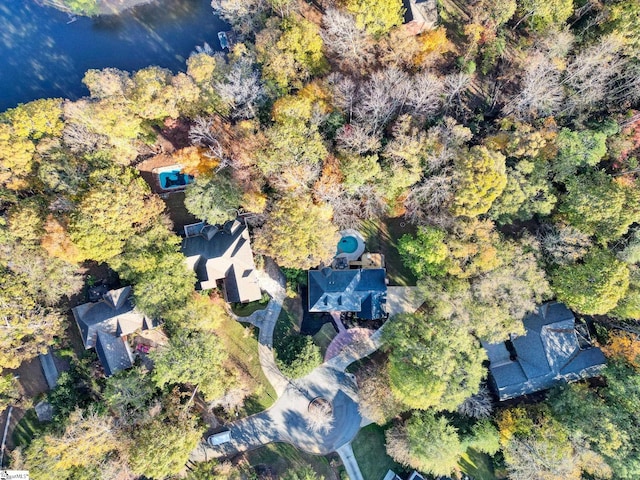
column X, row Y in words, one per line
column 41, row 55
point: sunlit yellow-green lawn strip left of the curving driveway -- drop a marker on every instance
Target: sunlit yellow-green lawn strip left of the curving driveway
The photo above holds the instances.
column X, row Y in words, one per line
column 242, row 346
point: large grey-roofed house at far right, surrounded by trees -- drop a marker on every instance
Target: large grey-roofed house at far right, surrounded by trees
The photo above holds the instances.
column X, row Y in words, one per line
column 553, row 350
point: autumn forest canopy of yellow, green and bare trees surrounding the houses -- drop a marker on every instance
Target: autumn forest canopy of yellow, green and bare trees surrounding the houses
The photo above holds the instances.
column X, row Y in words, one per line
column 505, row 138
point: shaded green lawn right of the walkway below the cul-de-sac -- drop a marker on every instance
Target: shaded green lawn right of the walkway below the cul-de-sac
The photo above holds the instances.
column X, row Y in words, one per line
column 371, row 454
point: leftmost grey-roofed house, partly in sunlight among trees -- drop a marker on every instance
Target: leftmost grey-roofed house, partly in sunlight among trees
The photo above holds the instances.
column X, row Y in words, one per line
column 105, row 324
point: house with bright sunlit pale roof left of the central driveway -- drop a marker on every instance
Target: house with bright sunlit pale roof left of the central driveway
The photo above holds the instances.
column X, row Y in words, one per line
column 222, row 253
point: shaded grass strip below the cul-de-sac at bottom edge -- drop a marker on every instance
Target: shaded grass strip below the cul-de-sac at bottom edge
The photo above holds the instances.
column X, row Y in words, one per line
column 282, row 457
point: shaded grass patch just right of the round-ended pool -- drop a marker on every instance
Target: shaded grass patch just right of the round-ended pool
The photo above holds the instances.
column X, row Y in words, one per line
column 382, row 236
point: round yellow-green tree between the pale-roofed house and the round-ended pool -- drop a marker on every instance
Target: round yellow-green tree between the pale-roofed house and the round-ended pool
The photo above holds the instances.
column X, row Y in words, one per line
column 297, row 233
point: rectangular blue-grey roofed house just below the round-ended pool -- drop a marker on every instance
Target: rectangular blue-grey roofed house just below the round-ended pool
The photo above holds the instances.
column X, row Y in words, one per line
column 363, row 291
